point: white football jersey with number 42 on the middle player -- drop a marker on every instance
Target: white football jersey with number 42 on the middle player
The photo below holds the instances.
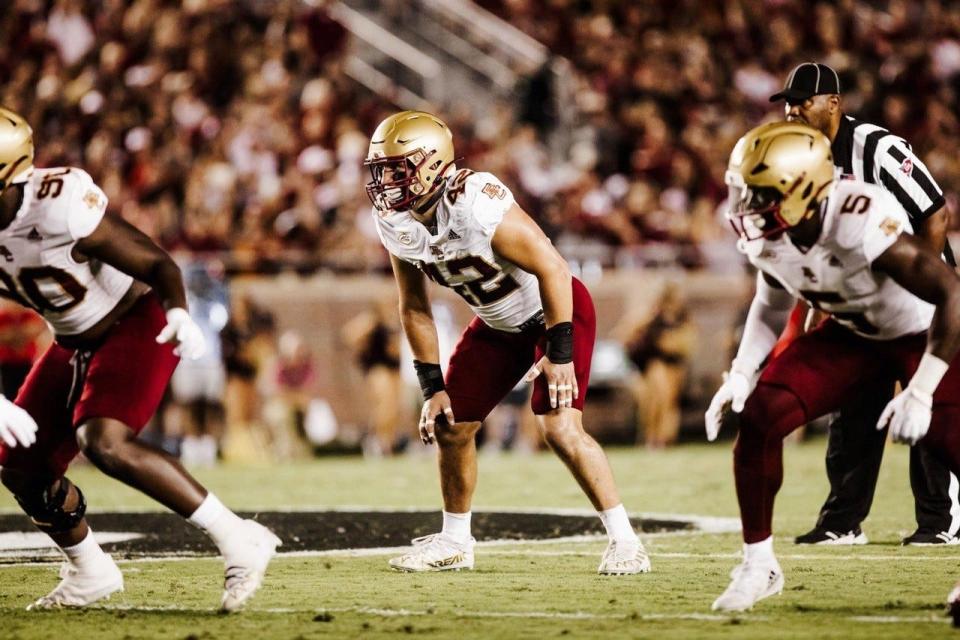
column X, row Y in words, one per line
column 459, row 255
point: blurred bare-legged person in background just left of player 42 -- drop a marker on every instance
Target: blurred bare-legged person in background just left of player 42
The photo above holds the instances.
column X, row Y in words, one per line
column 374, row 338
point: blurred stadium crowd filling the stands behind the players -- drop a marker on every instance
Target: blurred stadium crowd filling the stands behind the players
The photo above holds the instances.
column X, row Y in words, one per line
column 230, row 126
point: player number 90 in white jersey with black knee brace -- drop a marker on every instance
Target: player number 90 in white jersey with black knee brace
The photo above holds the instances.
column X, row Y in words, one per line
column 116, row 305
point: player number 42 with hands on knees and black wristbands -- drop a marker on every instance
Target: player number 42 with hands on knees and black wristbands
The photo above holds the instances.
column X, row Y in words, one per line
column 463, row 230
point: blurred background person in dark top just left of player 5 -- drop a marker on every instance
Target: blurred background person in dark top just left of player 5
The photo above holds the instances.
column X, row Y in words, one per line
column 660, row 346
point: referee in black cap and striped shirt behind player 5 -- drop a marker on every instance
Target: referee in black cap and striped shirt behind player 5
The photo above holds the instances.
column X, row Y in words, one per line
column 855, row 447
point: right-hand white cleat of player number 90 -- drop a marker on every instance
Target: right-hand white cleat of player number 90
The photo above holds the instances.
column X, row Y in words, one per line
column 246, row 556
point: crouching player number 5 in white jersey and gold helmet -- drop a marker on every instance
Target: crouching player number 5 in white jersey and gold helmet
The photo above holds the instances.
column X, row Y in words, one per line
column 844, row 247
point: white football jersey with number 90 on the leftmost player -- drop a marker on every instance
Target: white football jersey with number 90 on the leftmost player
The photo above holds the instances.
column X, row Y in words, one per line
column 37, row 267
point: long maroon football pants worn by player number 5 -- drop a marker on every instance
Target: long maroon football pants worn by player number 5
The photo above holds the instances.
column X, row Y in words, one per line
column 812, row 377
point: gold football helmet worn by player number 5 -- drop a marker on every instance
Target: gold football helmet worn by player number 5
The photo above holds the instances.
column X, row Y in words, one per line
column 777, row 175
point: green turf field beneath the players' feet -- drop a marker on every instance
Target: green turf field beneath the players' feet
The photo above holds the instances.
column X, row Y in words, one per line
column 520, row 589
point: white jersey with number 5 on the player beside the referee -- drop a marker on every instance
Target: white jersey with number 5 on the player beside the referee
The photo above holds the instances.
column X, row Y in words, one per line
column 860, row 222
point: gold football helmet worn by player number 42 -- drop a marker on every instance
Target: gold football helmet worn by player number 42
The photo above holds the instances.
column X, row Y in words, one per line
column 408, row 156
